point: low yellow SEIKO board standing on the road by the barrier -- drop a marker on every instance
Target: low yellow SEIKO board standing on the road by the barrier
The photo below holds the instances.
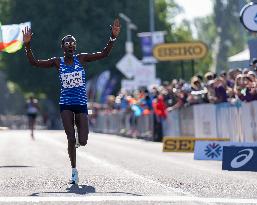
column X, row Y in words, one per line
column 184, row 144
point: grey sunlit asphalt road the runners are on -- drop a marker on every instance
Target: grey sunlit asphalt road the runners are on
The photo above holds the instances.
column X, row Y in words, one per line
column 113, row 170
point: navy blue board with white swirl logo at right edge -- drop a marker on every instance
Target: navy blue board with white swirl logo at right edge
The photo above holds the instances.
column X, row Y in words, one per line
column 239, row 158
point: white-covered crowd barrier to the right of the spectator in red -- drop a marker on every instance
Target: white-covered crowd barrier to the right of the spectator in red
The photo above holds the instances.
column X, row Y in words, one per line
column 236, row 122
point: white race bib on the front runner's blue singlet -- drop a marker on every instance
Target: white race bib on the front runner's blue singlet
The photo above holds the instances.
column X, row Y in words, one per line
column 71, row 80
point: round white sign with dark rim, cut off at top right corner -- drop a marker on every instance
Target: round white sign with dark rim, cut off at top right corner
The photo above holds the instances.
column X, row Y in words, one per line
column 248, row 16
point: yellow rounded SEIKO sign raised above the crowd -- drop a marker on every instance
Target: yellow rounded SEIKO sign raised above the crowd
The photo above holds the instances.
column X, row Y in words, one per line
column 180, row 51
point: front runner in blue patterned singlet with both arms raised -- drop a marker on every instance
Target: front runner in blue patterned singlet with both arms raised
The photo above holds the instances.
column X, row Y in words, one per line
column 73, row 99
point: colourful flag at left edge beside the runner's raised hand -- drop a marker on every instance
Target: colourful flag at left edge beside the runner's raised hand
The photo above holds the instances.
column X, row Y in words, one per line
column 11, row 38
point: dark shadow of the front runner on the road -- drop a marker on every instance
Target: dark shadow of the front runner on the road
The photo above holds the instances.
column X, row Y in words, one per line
column 81, row 190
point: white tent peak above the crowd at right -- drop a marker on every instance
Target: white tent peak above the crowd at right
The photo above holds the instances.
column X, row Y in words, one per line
column 240, row 60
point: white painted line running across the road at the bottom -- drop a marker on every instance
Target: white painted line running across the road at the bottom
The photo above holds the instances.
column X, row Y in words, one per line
column 128, row 199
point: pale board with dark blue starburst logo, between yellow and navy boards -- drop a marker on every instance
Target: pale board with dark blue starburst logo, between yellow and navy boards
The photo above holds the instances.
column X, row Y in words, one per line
column 213, row 150
